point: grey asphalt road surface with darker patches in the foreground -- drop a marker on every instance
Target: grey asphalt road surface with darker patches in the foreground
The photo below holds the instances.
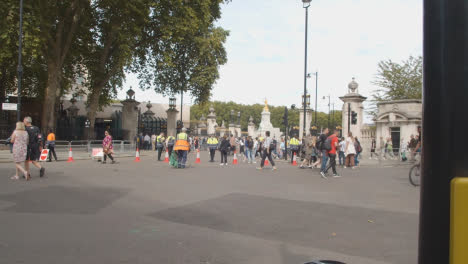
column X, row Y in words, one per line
column 148, row 212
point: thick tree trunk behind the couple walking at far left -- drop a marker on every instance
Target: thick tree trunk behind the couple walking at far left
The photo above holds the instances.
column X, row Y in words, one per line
column 50, row 97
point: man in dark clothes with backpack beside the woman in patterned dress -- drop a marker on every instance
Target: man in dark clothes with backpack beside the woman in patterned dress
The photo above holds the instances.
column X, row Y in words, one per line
column 33, row 152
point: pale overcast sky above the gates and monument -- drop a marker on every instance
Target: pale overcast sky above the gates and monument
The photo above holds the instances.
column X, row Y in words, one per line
column 346, row 38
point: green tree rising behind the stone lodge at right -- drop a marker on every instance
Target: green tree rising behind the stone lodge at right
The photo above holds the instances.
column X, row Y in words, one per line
column 397, row 81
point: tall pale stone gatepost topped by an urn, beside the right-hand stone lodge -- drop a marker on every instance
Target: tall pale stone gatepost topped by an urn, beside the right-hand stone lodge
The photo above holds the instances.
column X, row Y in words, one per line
column 353, row 103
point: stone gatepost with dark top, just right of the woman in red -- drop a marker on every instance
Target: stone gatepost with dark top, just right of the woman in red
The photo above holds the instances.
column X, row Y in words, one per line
column 130, row 116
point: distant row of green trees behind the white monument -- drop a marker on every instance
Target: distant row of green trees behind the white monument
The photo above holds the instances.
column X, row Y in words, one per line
column 223, row 110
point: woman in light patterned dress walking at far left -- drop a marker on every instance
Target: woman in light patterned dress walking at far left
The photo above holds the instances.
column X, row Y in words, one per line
column 20, row 140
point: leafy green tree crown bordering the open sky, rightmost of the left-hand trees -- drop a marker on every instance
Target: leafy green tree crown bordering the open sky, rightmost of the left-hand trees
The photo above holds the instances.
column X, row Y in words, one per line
column 186, row 56
